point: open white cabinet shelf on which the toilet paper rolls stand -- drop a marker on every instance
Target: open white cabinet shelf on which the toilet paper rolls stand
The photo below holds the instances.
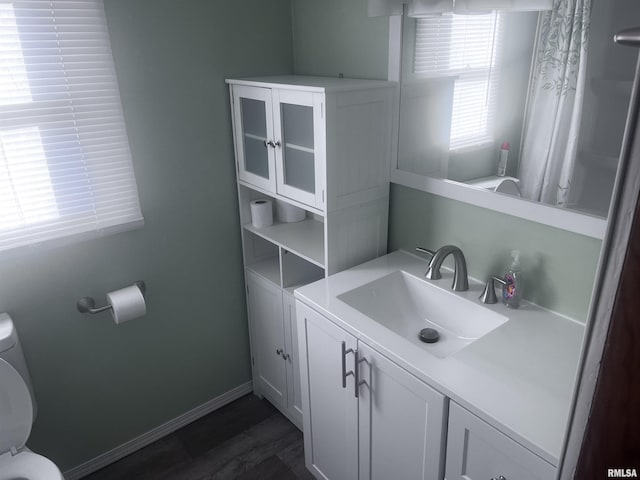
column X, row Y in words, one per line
column 305, row 239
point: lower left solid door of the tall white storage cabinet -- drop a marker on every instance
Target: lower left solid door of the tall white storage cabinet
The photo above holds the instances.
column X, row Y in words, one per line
column 264, row 301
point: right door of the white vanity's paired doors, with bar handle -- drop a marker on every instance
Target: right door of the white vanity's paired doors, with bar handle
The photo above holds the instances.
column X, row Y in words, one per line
column 402, row 421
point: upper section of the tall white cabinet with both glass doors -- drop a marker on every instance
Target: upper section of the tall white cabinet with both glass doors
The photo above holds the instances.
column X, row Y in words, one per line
column 321, row 142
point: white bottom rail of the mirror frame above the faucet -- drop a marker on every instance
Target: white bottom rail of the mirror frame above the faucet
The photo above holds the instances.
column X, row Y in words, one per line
column 571, row 221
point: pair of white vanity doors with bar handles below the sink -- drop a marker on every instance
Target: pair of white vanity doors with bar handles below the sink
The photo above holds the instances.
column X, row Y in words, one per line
column 365, row 417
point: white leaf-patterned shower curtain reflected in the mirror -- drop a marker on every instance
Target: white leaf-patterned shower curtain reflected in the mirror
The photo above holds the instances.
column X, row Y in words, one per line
column 550, row 142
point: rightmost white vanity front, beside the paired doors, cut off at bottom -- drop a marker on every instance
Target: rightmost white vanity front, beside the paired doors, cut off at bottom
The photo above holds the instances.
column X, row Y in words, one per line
column 477, row 451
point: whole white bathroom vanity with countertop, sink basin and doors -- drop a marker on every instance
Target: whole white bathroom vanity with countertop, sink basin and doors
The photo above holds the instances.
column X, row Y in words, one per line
column 489, row 400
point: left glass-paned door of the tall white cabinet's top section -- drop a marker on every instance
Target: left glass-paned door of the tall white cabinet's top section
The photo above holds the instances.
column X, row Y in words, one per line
column 254, row 136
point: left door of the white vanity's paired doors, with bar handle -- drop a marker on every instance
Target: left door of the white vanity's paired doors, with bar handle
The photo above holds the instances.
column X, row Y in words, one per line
column 331, row 409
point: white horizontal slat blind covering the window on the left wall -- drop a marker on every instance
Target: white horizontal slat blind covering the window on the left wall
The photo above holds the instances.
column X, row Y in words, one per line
column 102, row 210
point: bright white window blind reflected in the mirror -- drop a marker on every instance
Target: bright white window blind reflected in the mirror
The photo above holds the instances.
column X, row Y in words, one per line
column 467, row 47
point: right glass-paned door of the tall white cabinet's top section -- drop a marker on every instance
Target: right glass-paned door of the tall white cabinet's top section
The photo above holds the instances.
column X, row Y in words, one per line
column 299, row 133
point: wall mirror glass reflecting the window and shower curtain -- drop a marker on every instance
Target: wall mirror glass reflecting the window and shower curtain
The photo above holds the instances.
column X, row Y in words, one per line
column 530, row 104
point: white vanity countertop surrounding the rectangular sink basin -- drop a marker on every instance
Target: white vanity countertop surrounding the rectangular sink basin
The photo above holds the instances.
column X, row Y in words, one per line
column 519, row 377
